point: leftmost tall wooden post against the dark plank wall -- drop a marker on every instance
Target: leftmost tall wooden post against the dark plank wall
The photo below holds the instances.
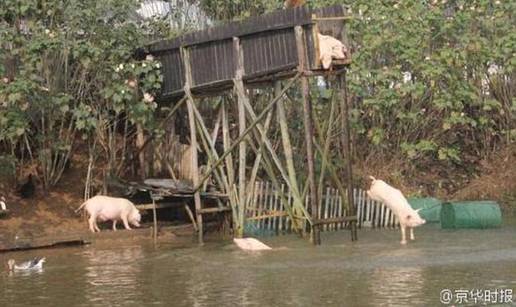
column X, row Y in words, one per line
column 193, row 141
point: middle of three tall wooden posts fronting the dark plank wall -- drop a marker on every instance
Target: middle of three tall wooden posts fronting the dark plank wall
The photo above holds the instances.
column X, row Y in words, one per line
column 240, row 91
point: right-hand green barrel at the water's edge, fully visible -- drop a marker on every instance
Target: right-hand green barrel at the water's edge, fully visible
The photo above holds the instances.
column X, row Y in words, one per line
column 471, row 214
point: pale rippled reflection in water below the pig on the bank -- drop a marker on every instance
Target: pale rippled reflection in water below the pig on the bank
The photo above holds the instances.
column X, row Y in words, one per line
column 113, row 275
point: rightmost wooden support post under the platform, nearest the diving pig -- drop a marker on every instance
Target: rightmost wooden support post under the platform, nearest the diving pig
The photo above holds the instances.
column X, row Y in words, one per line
column 346, row 149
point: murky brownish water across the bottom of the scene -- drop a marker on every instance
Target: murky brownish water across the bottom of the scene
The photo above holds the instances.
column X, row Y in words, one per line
column 375, row 271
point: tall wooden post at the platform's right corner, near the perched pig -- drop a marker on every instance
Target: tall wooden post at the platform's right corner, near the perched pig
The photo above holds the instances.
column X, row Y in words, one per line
column 309, row 131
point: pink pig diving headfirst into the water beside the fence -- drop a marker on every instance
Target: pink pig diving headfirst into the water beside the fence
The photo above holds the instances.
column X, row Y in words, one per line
column 394, row 199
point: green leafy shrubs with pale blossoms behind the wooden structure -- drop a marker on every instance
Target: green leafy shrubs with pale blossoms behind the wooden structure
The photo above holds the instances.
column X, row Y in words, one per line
column 432, row 81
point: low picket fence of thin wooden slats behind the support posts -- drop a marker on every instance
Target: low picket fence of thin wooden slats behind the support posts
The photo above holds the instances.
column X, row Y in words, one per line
column 265, row 211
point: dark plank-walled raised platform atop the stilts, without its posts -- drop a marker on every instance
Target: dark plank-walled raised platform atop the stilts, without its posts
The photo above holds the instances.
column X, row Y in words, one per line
column 268, row 45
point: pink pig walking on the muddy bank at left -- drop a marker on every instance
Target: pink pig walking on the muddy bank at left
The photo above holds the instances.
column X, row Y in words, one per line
column 106, row 208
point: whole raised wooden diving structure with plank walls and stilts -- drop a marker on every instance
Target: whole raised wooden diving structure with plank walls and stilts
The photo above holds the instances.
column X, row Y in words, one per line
column 258, row 52
